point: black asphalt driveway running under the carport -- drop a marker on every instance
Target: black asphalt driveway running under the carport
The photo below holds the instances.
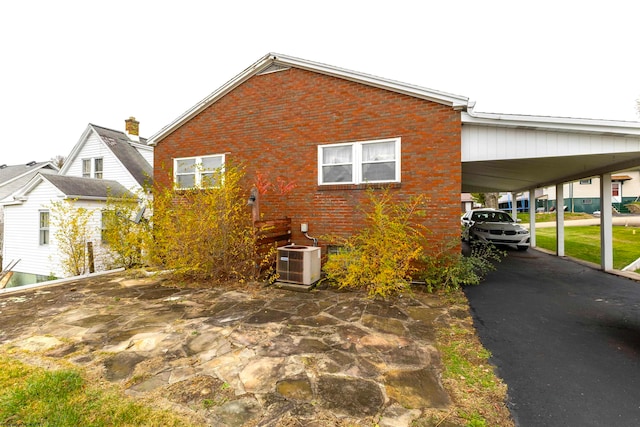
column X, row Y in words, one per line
column 564, row 337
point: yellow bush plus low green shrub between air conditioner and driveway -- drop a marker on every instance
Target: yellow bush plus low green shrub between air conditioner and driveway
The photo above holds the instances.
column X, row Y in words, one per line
column 390, row 252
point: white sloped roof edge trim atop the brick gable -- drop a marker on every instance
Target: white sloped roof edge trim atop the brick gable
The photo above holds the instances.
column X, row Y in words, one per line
column 274, row 62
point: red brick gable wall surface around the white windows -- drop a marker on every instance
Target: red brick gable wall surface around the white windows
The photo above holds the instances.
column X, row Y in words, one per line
column 273, row 124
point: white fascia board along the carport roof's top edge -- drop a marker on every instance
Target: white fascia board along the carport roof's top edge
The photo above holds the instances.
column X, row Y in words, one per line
column 607, row 127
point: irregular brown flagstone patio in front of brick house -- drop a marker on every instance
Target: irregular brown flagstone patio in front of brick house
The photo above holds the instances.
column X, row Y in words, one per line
column 244, row 356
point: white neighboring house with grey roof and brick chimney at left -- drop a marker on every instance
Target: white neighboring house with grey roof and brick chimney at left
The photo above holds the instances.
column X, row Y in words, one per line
column 103, row 163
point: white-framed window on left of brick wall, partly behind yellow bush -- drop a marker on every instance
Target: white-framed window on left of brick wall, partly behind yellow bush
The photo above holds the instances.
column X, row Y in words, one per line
column 197, row 172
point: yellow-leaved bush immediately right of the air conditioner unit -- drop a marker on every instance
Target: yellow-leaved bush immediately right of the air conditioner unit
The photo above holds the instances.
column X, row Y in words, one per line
column 380, row 257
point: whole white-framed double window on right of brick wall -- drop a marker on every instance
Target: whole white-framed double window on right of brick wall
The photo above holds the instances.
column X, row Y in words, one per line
column 359, row 162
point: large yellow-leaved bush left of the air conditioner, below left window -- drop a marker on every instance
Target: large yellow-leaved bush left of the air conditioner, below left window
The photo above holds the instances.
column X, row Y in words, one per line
column 207, row 233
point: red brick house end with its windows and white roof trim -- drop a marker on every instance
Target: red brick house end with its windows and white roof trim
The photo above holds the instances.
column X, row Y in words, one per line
column 329, row 133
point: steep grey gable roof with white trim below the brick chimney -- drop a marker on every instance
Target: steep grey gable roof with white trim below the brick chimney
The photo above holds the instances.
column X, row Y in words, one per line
column 123, row 148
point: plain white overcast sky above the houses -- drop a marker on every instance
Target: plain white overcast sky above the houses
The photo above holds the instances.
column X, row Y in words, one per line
column 66, row 64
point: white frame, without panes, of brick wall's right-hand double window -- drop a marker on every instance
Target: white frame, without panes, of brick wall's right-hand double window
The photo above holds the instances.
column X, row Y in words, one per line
column 357, row 162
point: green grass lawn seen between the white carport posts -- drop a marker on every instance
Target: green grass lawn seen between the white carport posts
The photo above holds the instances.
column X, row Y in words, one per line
column 584, row 243
